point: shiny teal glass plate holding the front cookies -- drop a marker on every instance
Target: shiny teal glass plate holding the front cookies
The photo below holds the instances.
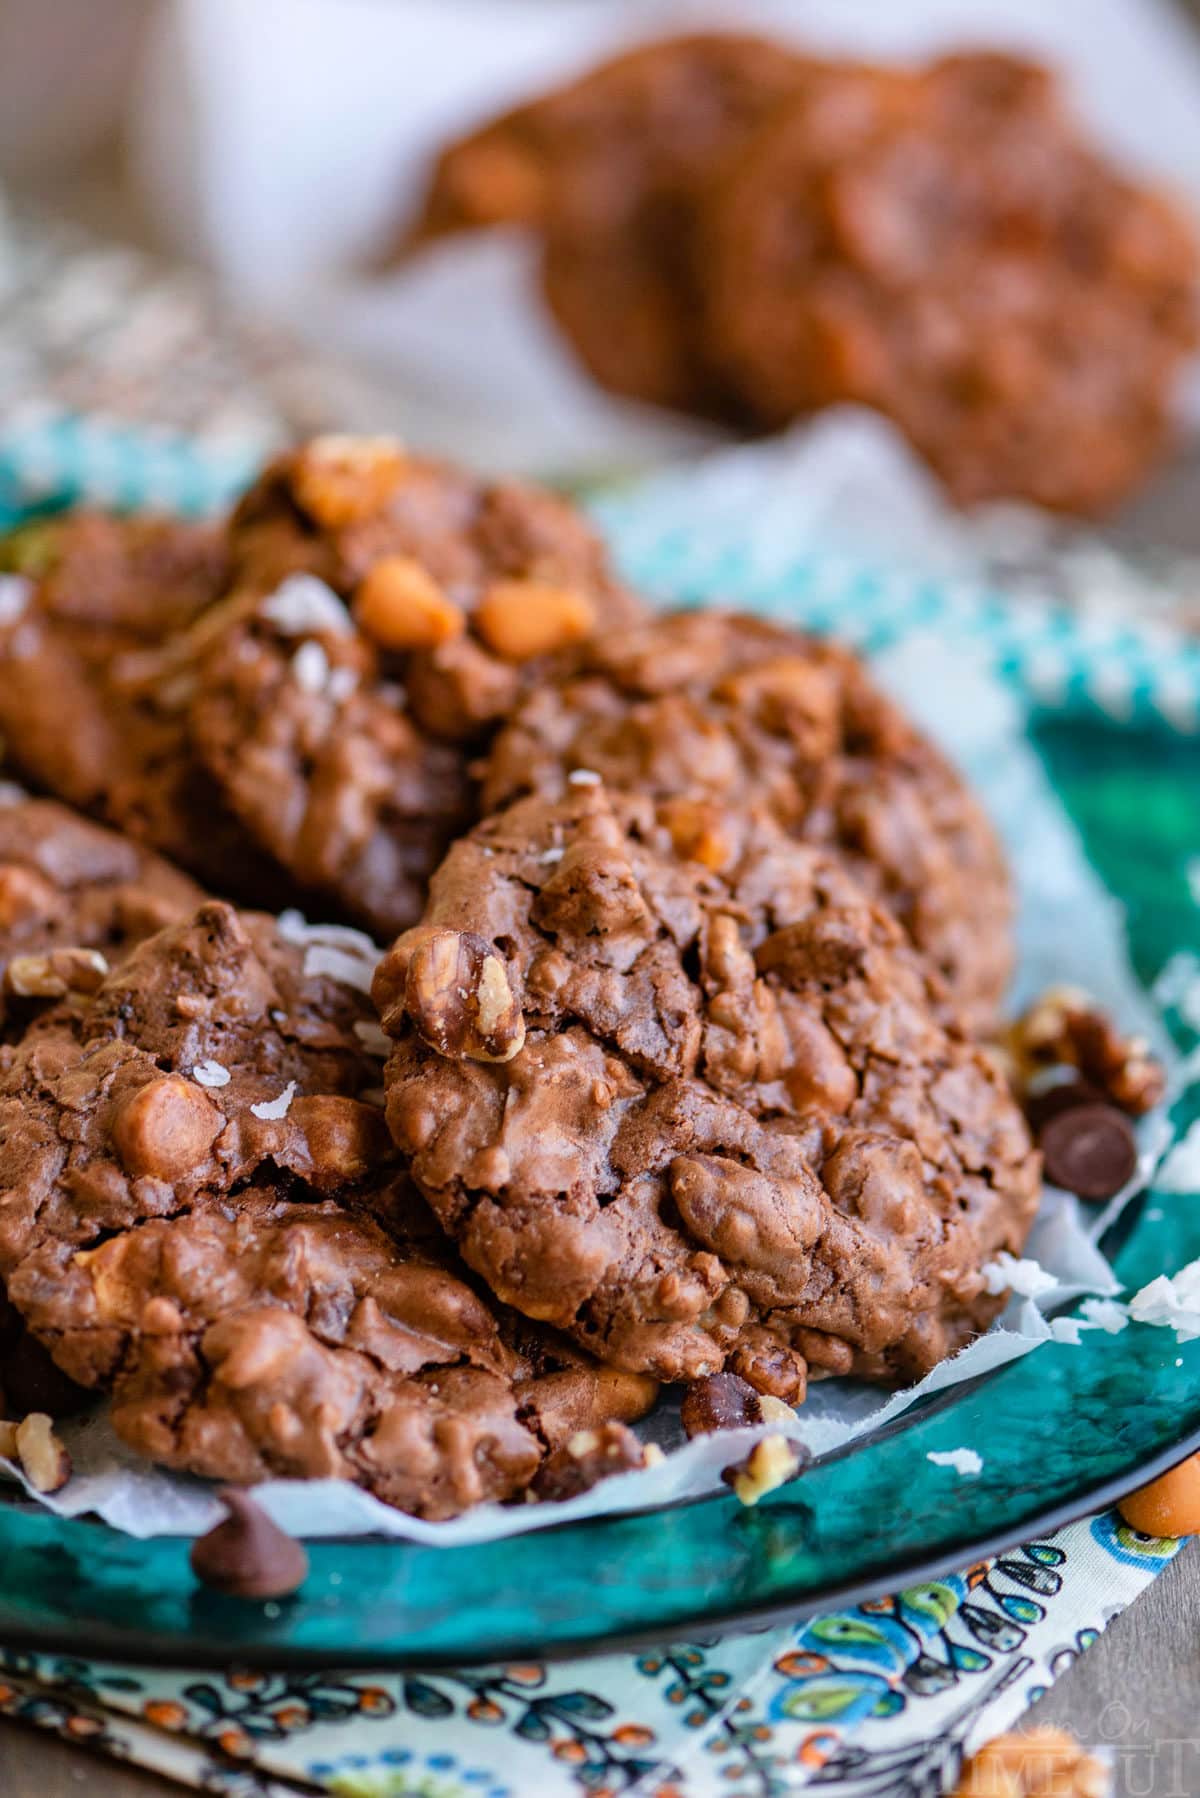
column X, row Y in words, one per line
column 1062, row 1432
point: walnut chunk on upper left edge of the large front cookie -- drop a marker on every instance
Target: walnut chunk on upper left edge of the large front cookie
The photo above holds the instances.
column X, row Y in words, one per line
column 460, row 999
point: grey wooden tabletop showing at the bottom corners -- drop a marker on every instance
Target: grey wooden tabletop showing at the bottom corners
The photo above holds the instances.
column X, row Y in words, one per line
column 1138, row 1691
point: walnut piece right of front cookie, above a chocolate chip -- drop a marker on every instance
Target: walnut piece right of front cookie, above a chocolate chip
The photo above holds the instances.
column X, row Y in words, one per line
column 1064, row 1028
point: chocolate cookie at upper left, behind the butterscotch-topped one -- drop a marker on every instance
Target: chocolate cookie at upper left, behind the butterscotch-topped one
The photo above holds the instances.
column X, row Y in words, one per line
column 93, row 702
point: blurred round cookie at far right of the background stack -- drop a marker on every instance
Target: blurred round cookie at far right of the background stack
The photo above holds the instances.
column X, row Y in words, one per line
column 947, row 247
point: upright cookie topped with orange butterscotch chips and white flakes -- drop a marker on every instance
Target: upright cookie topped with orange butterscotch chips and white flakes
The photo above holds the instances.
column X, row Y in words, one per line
column 393, row 609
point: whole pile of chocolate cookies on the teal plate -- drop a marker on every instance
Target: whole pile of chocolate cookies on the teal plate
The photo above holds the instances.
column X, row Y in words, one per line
column 670, row 1074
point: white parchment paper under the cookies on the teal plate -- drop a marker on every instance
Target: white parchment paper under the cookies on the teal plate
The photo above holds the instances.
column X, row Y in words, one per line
column 1070, row 930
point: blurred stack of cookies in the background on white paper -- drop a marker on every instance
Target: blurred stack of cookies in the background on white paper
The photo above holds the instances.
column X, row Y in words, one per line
column 739, row 231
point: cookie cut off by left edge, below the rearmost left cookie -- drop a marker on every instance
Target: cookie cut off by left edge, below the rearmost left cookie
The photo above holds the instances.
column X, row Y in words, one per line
column 73, row 900
